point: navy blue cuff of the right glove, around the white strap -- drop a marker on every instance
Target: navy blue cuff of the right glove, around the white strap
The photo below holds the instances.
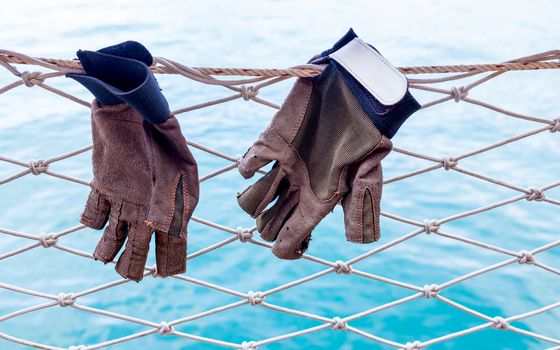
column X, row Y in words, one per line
column 387, row 119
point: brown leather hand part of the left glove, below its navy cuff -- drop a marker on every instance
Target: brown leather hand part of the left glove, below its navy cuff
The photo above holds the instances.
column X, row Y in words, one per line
column 145, row 180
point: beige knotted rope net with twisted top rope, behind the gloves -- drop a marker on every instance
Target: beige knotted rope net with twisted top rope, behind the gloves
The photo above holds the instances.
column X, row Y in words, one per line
column 248, row 89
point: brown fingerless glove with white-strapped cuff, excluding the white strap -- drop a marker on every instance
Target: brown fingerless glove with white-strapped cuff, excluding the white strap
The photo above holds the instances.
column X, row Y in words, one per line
column 328, row 140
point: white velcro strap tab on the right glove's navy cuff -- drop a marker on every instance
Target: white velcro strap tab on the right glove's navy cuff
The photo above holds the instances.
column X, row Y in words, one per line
column 373, row 71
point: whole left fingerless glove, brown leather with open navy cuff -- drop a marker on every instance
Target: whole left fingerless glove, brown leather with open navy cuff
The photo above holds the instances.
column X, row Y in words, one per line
column 145, row 178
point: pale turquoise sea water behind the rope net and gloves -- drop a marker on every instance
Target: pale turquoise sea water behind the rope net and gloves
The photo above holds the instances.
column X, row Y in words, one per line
column 35, row 124
